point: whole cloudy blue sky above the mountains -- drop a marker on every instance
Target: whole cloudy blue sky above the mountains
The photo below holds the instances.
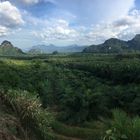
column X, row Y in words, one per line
column 64, row 22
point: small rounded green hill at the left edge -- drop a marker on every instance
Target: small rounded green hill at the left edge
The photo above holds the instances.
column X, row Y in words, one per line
column 6, row 48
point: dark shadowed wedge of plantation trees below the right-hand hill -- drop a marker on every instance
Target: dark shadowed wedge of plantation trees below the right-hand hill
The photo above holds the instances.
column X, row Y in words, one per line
column 122, row 72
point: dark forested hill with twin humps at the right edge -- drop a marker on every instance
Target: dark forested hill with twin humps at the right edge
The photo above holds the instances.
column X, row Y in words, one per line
column 114, row 45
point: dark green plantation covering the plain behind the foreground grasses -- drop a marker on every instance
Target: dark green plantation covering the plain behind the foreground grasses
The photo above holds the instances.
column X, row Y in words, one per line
column 80, row 87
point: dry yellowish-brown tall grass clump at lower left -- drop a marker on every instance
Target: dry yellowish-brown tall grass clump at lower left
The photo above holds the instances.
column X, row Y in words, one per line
column 28, row 108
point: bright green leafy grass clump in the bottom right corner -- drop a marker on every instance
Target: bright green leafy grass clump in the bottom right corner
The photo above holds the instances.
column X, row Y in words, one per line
column 123, row 127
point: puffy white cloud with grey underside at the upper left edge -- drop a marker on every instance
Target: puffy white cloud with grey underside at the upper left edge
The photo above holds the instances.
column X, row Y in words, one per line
column 10, row 17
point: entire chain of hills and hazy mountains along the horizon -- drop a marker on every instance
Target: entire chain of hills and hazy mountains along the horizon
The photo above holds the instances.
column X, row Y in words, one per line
column 111, row 45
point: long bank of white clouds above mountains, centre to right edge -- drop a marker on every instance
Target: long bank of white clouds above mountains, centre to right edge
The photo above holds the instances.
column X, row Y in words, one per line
column 60, row 30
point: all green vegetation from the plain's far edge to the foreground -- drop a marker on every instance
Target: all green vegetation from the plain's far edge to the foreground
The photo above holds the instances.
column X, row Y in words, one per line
column 74, row 96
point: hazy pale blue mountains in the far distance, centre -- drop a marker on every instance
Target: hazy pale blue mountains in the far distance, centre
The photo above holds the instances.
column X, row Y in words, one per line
column 38, row 49
